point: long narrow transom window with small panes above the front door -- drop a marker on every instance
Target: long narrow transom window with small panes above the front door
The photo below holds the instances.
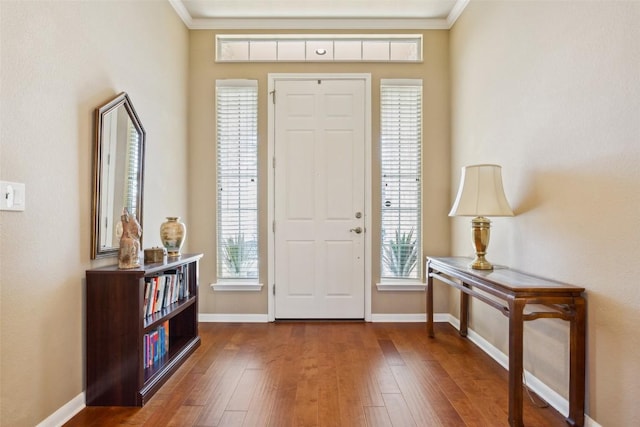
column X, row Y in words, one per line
column 319, row 48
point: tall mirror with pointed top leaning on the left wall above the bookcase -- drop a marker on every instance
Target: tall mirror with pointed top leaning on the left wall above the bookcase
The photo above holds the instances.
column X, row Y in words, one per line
column 118, row 172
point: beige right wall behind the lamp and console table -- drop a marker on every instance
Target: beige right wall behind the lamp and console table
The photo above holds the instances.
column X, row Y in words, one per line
column 551, row 91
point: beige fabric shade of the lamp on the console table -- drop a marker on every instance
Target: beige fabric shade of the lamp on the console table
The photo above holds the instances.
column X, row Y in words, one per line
column 481, row 193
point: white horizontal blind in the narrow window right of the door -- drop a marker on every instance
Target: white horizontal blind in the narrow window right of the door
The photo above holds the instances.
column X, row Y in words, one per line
column 401, row 171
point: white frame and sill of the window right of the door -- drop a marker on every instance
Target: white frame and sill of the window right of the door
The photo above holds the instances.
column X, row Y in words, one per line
column 400, row 283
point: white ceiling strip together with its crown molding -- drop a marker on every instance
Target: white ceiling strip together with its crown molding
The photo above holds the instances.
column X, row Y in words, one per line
column 319, row 14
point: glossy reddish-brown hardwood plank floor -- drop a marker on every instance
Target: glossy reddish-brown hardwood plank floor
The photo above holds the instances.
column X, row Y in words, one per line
column 329, row 374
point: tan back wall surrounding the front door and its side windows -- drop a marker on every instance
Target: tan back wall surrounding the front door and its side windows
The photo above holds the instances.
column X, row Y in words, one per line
column 203, row 74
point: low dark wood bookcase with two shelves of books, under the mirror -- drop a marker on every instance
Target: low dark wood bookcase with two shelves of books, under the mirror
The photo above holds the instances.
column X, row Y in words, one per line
column 125, row 366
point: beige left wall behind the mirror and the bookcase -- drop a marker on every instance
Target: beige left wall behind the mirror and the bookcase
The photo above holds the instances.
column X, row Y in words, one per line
column 60, row 60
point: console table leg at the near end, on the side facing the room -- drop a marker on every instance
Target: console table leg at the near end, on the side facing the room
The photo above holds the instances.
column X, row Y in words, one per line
column 516, row 328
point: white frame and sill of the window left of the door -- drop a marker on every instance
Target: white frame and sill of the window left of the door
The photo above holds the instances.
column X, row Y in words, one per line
column 231, row 283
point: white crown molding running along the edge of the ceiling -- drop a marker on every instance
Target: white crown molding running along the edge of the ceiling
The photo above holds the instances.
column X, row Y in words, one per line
column 319, row 23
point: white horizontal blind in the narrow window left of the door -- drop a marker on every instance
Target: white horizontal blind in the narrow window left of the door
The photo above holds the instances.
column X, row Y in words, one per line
column 237, row 178
